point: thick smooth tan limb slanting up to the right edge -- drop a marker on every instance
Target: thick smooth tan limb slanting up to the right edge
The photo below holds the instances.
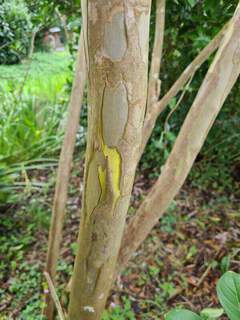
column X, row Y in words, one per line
column 217, row 84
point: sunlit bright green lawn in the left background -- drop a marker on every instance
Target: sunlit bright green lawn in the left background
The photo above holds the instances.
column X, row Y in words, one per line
column 47, row 75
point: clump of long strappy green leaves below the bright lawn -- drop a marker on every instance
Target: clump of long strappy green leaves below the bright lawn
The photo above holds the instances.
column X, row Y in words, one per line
column 30, row 135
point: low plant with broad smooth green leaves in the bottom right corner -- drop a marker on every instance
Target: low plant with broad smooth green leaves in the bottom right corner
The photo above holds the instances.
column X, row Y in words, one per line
column 228, row 290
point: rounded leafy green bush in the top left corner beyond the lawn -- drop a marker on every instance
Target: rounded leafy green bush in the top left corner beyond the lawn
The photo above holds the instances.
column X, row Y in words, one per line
column 15, row 31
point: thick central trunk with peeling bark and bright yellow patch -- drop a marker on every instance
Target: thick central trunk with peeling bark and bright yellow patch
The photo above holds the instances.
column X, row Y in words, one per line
column 116, row 39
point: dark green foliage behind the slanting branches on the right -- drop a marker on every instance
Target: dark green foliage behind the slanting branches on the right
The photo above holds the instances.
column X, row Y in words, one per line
column 190, row 25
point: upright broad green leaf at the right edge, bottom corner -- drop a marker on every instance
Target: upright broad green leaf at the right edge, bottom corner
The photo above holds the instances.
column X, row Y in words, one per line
column 228, row 290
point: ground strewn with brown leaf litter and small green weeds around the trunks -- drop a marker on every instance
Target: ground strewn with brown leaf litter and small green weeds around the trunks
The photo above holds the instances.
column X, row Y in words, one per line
column 194, row 243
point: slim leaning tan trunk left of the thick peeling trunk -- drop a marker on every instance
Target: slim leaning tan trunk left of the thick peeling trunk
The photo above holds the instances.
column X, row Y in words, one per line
column 64, row 169
